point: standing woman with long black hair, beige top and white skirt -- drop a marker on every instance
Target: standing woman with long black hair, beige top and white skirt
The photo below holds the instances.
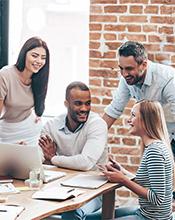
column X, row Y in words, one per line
column 23, row 88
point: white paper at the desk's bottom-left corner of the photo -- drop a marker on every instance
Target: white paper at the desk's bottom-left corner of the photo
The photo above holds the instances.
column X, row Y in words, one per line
column 10, row 212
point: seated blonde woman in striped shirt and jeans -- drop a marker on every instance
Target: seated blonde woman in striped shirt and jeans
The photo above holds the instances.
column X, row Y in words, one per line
column 154, row 179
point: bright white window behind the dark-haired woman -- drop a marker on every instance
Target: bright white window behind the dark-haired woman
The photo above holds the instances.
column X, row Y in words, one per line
column 64, row 25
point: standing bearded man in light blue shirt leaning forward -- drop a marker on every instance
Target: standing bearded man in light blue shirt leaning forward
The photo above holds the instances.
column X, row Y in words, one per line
column 143, row 79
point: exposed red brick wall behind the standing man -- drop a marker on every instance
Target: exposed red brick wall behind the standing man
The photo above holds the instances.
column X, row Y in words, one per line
column 113, row 22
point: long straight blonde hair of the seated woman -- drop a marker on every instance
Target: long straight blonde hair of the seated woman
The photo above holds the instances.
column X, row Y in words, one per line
column 153, row 121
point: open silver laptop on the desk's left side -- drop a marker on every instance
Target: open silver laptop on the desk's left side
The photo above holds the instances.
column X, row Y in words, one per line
column 18, row 160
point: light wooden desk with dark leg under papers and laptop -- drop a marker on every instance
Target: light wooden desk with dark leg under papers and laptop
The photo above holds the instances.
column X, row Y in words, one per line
column 39, row 209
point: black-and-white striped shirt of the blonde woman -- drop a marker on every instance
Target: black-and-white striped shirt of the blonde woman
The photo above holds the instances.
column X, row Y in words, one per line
column 156, row 174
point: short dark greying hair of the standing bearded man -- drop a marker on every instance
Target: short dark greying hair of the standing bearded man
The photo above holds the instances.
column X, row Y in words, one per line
column 135, row 49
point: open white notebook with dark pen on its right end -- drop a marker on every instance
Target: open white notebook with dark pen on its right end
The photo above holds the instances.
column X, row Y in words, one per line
column 57, row 193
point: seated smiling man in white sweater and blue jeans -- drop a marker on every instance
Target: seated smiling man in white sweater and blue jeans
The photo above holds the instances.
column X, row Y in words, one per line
column 76, row 140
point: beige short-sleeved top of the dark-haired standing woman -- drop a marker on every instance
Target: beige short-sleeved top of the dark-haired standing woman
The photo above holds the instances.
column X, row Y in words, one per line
column 17, row 97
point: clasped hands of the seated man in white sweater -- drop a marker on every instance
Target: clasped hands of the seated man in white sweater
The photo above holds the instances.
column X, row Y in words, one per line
column 48, row 146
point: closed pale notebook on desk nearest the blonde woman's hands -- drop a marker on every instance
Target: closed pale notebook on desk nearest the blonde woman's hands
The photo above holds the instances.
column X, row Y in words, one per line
column 86, row 181
